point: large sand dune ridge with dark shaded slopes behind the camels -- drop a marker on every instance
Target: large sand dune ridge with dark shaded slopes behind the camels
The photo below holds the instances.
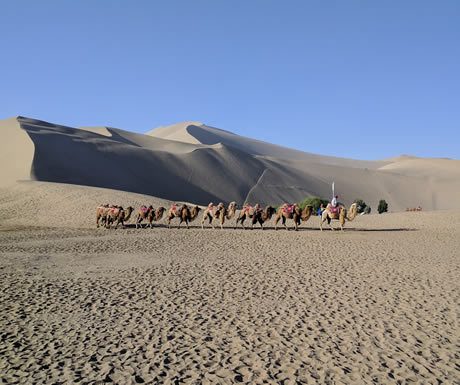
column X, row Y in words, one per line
column 197, row 163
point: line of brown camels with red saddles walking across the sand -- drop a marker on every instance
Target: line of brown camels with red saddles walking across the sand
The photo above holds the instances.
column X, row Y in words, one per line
column 113, row 215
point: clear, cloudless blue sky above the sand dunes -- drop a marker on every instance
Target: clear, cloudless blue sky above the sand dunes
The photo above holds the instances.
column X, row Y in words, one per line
column 360, row 79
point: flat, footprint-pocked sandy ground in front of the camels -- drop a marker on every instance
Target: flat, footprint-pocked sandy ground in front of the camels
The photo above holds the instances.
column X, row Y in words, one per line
column 378, row 303
